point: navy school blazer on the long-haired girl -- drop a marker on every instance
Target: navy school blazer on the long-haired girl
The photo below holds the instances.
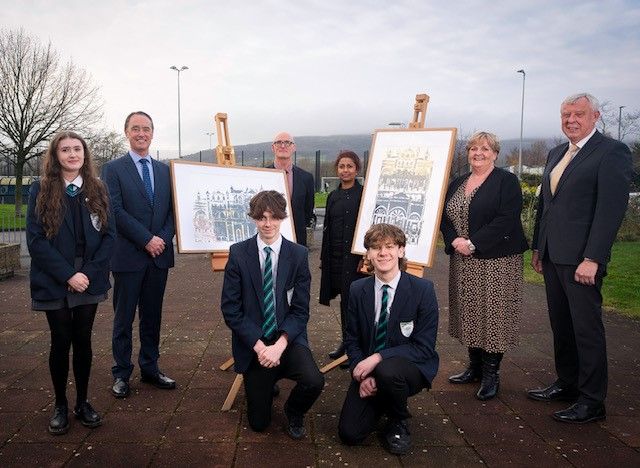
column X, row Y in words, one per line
column 52, row 260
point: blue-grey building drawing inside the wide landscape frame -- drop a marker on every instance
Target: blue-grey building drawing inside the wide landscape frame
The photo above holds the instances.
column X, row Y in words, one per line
column 221, row 215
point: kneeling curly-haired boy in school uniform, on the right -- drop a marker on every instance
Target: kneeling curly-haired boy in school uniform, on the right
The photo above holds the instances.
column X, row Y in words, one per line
column 390, row 339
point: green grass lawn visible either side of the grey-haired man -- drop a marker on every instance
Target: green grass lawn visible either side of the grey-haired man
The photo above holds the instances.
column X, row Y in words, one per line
column 621, row 288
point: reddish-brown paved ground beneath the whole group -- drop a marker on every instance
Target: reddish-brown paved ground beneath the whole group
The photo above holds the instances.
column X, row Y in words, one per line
column 185, row 427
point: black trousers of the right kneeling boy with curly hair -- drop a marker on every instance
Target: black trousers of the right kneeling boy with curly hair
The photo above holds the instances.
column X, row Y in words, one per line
column 396, row 379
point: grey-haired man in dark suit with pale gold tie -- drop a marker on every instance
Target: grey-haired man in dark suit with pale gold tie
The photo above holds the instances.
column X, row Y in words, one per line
column 584, row 195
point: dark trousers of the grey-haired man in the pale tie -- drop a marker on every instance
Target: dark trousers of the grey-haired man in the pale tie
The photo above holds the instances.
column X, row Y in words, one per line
column 575, row 313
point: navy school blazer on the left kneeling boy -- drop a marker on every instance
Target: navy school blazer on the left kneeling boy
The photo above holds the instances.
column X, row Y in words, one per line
column 241, row 301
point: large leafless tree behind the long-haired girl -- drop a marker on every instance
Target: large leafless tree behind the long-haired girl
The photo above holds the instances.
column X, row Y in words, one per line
column 39, row 96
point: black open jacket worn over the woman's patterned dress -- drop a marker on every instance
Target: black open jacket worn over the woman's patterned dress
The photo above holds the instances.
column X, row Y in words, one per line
column 495, row 227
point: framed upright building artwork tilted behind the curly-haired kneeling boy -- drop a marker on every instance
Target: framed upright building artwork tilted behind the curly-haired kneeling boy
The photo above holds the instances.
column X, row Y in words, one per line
column 406, row 183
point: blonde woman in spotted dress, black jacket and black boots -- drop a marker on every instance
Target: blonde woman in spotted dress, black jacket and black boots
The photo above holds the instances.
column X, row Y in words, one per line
column 484, row 238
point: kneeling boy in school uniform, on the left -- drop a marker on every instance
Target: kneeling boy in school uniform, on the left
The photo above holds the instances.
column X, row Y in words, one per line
column 265, row 303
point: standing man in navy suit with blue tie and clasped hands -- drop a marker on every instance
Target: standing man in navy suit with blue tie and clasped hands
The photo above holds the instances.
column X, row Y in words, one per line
column 140, row 192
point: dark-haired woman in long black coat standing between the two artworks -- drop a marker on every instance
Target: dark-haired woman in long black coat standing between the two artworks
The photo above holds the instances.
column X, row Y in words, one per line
column 339, row 265
